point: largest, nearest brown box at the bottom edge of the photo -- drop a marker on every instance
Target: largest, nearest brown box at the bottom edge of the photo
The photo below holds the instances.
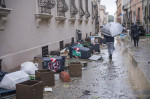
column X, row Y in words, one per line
column 30, row 89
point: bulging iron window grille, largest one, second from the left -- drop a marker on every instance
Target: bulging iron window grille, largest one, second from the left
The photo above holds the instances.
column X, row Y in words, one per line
column 46, row 5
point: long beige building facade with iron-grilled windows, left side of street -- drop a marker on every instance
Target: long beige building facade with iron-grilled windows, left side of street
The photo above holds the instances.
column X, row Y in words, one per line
column 28, row 25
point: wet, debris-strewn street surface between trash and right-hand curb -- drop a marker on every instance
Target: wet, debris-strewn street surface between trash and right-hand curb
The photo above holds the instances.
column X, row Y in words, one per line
column 100, row 80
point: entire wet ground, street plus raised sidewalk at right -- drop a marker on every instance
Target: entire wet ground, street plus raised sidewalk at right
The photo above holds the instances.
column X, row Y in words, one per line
column 127, row 76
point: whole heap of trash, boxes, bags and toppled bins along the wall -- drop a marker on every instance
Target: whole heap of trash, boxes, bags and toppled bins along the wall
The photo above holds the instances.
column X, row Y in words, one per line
column 38, row 76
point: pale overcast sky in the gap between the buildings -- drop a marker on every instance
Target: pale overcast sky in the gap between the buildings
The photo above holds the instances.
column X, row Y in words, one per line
column 110, row 6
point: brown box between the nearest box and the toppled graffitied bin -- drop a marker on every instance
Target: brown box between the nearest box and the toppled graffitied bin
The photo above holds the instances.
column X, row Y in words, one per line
column 46, row 76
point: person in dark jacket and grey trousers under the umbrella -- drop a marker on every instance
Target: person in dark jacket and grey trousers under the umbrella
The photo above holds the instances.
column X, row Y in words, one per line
column 110, row 45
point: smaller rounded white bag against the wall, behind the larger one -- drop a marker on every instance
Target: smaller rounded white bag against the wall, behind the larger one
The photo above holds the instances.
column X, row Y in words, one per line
column 29, row 68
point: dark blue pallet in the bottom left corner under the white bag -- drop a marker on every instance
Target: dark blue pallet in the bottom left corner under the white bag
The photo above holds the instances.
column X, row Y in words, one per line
column 7, row 94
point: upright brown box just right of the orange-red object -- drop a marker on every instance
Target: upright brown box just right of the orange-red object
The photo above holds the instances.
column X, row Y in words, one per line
column 75, row 69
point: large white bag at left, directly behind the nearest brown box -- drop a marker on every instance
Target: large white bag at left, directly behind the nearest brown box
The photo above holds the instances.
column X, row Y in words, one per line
column 10, row 80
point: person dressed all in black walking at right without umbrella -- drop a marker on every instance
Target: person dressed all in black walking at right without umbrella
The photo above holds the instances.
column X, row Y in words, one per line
column 136, row 36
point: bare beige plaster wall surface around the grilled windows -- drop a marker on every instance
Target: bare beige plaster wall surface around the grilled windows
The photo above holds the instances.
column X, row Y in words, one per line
column 21, row 40
